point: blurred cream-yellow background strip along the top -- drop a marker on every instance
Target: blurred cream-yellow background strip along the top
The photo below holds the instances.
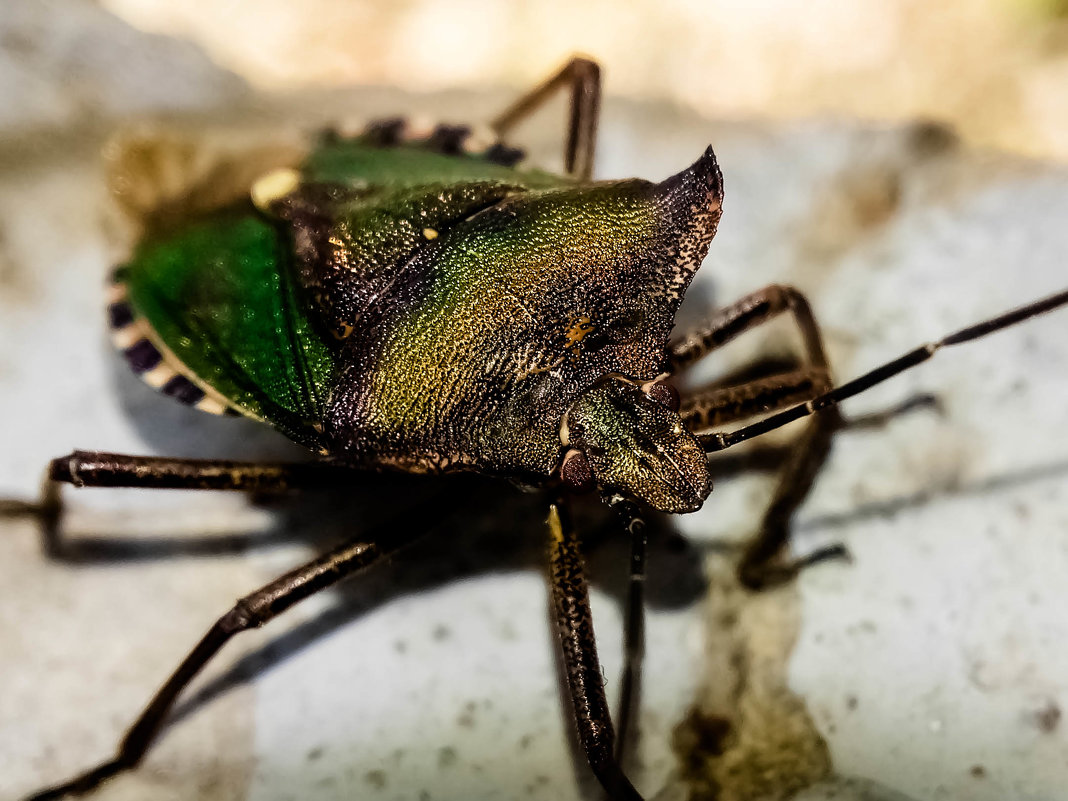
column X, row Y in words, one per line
column 996, row 70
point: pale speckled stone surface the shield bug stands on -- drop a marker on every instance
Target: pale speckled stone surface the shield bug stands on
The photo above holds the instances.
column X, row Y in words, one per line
column 934, row 667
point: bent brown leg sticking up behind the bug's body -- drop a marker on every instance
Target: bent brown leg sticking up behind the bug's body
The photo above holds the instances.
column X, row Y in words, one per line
column 584, row 78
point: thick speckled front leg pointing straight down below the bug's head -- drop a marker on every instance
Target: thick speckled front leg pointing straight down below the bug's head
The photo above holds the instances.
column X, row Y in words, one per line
column 571, row 602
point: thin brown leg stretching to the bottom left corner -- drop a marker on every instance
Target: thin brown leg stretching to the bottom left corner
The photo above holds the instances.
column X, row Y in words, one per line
column 252, row 611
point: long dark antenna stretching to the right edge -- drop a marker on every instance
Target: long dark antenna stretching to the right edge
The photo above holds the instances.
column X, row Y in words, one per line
column 719, row 442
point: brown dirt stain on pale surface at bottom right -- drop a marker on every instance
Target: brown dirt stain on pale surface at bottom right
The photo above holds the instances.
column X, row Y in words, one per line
column 748, row 736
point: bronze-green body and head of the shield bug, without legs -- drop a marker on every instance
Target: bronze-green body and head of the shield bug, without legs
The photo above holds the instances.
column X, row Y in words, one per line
column 387, row 304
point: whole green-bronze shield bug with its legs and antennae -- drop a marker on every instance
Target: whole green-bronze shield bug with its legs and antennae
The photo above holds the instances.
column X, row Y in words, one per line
column 543, row 358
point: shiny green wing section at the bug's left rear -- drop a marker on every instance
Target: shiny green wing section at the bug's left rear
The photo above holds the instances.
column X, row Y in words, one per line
column 219, row 294
